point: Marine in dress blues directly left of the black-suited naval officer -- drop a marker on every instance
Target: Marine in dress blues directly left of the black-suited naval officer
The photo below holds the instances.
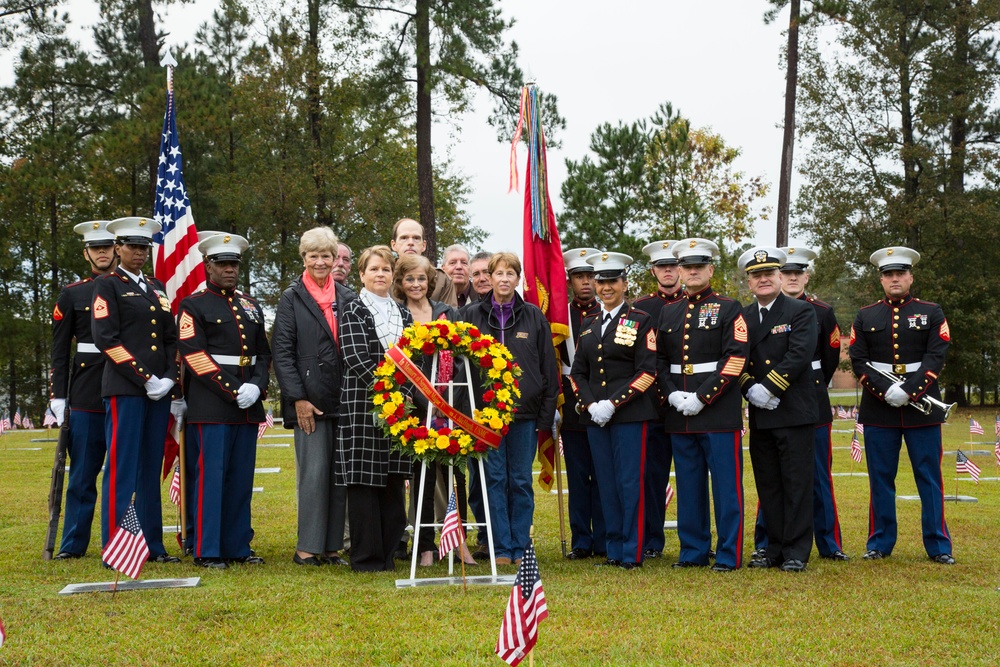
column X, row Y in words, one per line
column 701, row 351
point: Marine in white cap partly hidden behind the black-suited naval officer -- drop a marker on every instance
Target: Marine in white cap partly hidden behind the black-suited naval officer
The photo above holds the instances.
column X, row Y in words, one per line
column 826, row 521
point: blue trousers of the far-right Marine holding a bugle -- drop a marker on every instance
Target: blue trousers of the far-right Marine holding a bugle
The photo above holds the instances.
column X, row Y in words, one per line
column 923, row 445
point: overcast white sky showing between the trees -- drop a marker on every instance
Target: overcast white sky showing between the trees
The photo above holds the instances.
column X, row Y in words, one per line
column 714, row 60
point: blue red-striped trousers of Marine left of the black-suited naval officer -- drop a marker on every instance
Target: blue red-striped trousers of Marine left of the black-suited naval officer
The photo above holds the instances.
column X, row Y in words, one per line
column 695, row 455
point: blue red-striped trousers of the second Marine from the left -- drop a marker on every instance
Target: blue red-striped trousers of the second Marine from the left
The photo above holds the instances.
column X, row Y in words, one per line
column 135, row 429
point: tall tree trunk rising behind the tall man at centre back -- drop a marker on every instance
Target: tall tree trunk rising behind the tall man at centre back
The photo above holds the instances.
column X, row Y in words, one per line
column 425, row 167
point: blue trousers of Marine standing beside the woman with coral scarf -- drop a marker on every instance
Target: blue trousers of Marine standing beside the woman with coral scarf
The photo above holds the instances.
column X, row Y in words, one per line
column 225, row 456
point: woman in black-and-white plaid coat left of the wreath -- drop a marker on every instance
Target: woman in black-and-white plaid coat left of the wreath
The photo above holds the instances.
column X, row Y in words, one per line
column 374, row 473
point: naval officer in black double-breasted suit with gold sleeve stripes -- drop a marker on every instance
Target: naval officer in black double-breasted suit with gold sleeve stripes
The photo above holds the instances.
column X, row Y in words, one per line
column 779, row 385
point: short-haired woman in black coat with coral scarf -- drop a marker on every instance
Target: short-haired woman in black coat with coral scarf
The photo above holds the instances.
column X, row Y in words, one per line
column 307, row 363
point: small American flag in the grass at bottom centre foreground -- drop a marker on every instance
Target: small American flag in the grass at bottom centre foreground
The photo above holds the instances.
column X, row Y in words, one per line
column 526, row 608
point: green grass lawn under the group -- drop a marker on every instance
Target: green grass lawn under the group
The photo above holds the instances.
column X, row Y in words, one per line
column 901, row 611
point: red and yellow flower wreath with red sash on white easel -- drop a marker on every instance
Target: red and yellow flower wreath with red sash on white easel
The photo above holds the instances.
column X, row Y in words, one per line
column 451, row 446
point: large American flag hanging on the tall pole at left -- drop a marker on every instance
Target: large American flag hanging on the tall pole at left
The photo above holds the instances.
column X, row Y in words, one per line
column 176, row 260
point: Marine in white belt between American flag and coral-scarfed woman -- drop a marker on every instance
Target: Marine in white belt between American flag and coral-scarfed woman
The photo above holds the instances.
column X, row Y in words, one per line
column 223, row 347
